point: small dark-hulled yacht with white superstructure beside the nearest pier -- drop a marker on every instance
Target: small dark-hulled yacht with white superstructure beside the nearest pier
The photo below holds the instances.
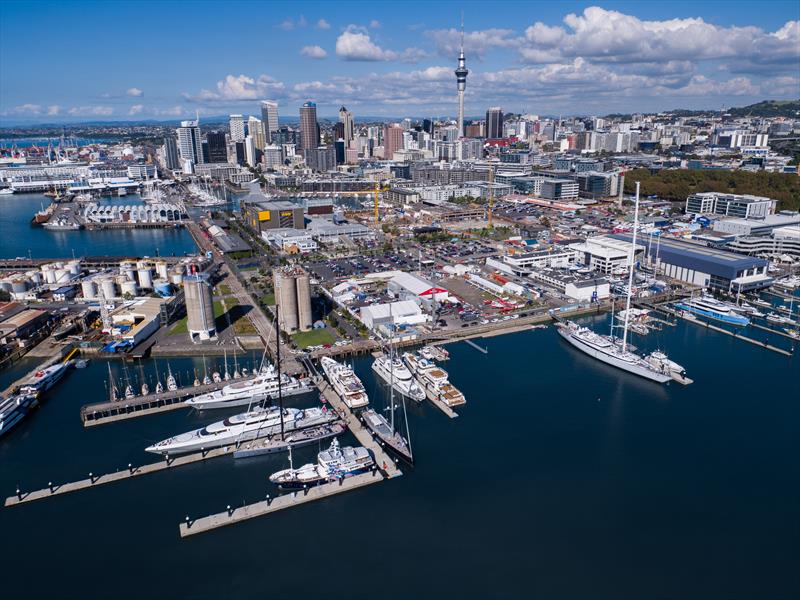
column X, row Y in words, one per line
column 333, row 464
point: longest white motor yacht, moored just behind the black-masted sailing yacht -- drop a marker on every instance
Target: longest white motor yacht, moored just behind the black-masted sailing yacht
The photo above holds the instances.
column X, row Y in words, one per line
column 243, row 427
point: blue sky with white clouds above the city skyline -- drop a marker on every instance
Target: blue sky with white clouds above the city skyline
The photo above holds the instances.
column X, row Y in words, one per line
column 78, row 61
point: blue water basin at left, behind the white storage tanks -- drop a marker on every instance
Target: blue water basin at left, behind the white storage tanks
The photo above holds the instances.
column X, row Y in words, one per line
column 16, row 212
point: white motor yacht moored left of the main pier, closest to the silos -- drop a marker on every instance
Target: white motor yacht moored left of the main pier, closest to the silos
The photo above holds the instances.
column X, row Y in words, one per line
column 253, row 391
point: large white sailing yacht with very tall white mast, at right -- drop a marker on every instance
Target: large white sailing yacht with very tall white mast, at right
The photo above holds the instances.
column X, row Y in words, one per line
column 606, row 348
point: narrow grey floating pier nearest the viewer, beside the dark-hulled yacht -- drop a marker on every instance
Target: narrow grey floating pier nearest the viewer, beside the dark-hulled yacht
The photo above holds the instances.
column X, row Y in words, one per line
column 249, row 511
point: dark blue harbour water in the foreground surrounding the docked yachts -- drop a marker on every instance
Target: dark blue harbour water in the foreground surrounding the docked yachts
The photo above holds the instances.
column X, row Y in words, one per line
column 562, row 478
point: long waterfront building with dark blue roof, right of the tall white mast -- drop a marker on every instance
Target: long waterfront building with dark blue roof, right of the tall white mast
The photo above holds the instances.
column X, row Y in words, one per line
column 708, row 267
